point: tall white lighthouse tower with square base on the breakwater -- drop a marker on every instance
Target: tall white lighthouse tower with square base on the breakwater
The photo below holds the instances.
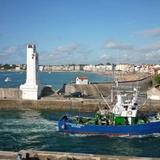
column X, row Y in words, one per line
column 31, row 89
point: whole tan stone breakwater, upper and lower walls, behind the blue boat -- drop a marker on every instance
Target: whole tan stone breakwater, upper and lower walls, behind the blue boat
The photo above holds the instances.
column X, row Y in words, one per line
column 11, row 97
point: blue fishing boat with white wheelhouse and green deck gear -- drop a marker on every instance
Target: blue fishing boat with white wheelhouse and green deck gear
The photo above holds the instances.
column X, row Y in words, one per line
column 123, row 119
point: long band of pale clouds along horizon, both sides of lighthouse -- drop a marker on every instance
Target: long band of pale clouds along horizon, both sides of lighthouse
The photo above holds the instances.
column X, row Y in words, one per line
column 114, row 52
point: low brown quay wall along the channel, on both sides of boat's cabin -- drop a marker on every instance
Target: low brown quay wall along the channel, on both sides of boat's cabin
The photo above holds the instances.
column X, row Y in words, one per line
column 62, row 104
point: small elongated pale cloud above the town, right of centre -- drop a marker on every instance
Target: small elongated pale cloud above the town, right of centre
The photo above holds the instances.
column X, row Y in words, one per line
column 117, row 45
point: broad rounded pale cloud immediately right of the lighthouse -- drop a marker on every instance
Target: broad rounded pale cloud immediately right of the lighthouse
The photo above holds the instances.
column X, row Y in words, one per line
column 67, row 54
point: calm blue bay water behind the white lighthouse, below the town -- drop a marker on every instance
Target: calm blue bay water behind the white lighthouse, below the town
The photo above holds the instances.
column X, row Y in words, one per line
column 56, row 79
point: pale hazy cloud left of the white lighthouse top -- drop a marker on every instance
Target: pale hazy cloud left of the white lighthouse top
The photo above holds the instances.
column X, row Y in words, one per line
column 13, row 54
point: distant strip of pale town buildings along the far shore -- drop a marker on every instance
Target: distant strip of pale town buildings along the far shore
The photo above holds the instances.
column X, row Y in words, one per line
column 108, row 68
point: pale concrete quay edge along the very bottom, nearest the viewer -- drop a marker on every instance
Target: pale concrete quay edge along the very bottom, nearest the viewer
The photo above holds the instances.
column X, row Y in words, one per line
column 43, row 155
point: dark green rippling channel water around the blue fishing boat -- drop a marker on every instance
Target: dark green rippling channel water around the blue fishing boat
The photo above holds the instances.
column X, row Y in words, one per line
column 37, row 129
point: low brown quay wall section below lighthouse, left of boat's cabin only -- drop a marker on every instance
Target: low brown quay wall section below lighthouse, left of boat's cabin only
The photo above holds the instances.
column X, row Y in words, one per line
column 55, row 104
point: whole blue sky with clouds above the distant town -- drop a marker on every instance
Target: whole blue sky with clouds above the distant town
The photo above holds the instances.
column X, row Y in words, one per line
column 81, row 31
